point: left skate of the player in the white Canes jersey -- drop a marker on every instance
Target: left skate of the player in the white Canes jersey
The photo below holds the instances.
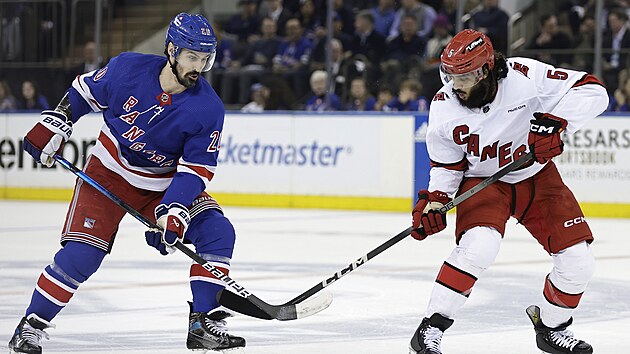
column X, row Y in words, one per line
column 428, row 336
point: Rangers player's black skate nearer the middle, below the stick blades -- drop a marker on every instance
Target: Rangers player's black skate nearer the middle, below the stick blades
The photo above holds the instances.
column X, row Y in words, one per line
column 208, row 331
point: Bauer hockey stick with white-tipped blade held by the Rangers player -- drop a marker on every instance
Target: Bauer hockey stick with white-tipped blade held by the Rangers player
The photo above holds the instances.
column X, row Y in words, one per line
column 280, row 312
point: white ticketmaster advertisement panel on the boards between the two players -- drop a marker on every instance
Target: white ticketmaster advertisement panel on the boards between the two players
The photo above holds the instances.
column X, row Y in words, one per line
column 326, row 155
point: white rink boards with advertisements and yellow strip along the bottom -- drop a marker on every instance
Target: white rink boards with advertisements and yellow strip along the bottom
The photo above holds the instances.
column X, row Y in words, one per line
column 336, row 161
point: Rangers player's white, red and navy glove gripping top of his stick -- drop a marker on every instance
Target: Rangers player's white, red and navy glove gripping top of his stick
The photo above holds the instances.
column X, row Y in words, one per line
column 48, row 136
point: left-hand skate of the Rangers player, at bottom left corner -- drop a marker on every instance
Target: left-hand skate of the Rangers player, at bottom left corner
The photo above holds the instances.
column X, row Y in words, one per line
column 28, row 335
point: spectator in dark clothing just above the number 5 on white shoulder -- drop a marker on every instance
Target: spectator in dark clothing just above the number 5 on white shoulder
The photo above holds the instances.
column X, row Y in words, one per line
column 549, row 38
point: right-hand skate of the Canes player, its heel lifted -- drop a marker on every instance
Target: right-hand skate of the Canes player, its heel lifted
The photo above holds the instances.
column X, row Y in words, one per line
column 557, row 340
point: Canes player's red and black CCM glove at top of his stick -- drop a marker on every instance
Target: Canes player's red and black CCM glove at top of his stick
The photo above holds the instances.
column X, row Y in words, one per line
column 544, row 139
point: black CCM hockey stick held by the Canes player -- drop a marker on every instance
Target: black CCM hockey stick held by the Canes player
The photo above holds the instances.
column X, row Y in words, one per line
column 236, row 303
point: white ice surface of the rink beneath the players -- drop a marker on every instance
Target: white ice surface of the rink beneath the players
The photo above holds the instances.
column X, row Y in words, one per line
column 136, row 303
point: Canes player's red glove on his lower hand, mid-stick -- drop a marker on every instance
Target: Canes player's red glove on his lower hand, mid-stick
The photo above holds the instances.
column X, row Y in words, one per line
column 426, row 214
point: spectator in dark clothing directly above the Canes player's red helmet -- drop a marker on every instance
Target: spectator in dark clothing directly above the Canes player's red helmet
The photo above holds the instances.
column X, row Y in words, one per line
column 492, row 21
